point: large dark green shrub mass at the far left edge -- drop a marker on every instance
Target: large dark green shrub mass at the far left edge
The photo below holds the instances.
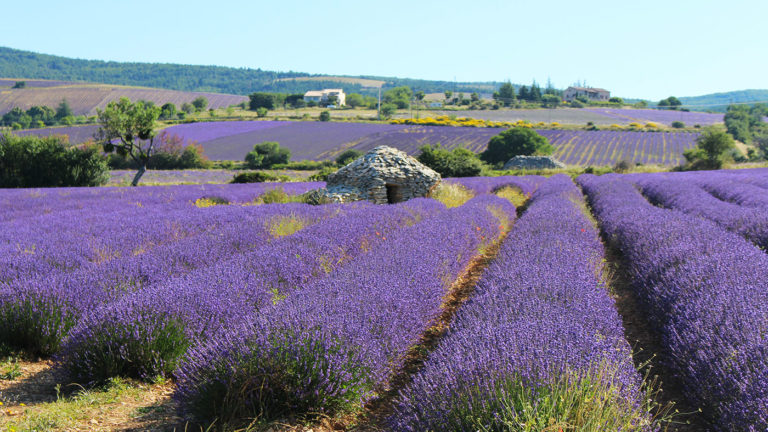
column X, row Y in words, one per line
column 33, row 161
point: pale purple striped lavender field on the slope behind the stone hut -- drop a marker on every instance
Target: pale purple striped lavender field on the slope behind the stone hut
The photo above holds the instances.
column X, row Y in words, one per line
column 322, row 141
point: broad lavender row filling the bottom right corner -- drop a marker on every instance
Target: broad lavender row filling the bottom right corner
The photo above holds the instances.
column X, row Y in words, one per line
column 704, row 292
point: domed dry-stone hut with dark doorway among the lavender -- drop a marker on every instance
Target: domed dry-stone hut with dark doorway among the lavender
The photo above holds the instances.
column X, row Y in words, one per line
column 383, row 175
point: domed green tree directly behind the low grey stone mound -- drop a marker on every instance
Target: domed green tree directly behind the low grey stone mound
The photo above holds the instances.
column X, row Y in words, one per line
column 517, row 141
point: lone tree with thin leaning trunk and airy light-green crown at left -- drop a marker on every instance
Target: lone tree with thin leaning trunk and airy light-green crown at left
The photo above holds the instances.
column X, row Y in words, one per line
column 129, row 129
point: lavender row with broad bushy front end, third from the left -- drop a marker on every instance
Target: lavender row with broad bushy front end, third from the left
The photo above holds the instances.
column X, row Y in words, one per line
column 323, row 352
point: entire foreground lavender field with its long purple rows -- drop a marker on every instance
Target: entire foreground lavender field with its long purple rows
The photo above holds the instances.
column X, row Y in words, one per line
column 299, row 313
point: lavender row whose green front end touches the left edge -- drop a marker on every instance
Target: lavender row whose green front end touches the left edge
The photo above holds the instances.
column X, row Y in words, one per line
column 36, row 312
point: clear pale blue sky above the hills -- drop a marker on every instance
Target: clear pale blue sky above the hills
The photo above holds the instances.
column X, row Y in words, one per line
column 647, row 49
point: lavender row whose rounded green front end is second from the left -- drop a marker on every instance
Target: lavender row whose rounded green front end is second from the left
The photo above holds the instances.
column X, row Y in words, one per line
column 148, row 331
